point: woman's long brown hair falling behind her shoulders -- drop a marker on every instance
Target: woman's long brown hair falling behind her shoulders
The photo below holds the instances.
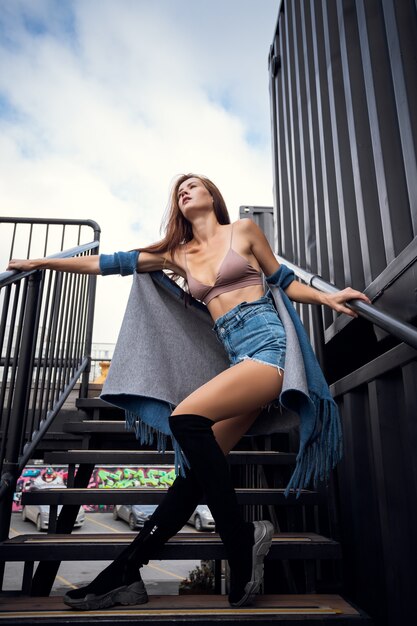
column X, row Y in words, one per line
column 178, row 230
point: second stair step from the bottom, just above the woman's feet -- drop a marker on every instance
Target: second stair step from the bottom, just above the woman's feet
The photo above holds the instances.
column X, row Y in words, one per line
column 182, row 546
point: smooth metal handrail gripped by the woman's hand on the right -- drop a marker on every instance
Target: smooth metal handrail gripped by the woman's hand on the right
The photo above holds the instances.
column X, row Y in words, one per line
column 396, row 327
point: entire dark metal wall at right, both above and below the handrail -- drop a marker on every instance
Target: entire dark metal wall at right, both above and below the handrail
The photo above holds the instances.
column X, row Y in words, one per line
column 344, row 131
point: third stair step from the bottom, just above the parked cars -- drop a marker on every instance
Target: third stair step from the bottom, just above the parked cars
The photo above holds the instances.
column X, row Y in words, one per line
column 154, row 495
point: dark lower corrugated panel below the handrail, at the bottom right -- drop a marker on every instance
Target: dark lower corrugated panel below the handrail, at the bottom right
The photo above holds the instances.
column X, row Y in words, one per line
column 378, row 485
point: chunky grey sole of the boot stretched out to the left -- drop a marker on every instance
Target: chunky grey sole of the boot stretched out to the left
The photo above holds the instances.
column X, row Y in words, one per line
column 128, row 594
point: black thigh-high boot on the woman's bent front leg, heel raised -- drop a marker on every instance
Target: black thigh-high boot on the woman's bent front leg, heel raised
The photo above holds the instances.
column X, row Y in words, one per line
column 246, row 543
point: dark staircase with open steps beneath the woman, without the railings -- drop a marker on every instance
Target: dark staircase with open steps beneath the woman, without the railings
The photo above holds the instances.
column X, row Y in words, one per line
column 294, row 566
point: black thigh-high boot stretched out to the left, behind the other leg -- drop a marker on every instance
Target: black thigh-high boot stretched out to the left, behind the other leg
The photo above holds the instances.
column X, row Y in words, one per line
column 120, row 582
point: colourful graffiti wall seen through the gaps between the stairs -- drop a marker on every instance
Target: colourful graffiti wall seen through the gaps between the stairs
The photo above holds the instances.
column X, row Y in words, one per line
column 104, row 477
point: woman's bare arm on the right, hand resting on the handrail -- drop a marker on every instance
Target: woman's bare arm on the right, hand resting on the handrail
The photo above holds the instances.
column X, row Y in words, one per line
column 296, row 291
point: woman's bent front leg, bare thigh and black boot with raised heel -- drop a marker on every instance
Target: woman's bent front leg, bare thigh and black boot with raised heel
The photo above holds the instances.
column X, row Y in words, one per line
column 247, row 385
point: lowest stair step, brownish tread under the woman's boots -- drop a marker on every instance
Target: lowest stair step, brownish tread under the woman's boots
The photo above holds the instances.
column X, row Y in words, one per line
column 191, row 609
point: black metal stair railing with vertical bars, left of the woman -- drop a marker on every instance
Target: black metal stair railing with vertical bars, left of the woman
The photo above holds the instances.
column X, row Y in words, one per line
column 45, row 342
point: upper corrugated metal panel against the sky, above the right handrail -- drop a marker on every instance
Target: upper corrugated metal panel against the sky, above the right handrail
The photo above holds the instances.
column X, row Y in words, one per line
column 344, row 96
